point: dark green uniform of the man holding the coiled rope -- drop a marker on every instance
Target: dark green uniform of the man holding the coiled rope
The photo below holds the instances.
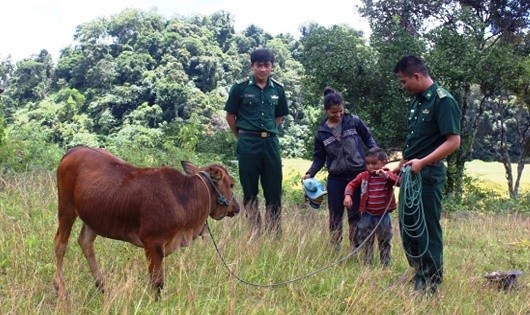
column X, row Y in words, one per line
column 433, row 115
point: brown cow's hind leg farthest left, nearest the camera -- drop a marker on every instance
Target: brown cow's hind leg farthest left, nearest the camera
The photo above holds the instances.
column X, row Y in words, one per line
column 66, row 217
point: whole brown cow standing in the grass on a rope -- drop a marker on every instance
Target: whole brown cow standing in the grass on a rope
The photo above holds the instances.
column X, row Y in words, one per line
column 159, row 209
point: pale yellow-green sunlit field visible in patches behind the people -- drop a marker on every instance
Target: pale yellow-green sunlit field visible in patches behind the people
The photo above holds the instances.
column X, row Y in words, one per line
column 491, row 174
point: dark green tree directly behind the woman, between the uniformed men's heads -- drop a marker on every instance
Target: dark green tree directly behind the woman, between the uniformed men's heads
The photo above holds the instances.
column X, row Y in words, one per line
column 339, row 57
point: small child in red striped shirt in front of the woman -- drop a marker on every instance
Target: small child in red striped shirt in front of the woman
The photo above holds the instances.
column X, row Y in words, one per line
column 377, row 201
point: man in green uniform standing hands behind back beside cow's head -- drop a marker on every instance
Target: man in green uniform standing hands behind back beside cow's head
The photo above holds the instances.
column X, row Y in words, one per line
column 255, row 108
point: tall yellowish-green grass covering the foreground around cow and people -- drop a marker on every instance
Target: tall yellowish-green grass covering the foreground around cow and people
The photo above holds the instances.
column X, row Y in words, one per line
column 295, row 274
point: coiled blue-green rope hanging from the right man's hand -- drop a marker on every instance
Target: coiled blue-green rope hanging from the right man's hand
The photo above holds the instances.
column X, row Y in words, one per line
column 411, row 207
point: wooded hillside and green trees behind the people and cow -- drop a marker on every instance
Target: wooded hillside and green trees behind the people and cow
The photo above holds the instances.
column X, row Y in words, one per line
column 151, row 88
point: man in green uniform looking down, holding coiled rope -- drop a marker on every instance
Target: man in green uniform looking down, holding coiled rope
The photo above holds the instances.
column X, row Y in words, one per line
column 433, row 133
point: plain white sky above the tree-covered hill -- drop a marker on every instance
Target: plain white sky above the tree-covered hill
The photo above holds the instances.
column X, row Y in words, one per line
column 27, row 26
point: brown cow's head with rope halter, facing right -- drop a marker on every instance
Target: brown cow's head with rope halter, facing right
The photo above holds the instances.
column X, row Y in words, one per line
column 222, row 184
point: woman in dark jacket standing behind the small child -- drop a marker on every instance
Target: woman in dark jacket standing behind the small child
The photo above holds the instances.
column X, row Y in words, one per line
column 339, row 144
